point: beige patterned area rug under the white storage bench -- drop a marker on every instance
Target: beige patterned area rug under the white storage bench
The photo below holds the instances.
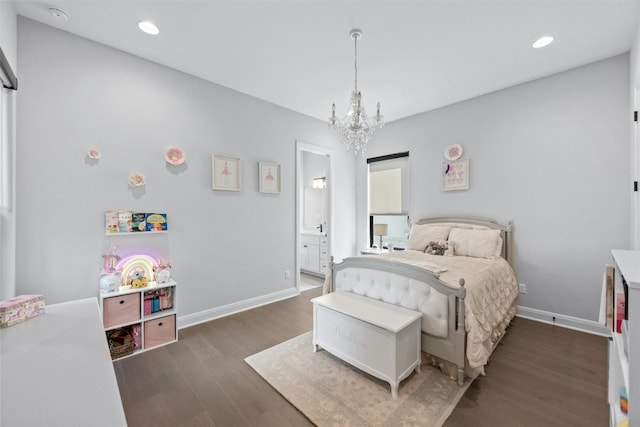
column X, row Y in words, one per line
column 330, row 392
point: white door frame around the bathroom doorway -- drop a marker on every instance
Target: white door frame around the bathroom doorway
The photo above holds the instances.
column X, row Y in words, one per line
column 302, row 147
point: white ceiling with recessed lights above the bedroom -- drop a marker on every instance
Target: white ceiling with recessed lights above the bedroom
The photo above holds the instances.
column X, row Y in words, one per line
column 414, row 56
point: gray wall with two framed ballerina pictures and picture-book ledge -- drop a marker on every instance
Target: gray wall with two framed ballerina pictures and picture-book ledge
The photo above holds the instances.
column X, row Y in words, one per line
column 225, row 247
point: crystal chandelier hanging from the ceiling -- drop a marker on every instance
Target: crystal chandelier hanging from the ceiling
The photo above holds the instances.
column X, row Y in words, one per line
column 356, row 128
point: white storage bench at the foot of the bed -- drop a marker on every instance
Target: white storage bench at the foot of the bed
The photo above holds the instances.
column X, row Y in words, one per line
column 379, row 338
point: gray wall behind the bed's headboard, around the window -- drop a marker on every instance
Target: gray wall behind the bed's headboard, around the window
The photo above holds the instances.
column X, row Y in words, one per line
column 552, row 156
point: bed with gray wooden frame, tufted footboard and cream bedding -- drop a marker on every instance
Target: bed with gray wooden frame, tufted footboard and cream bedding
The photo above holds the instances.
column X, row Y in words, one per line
column 467, row 298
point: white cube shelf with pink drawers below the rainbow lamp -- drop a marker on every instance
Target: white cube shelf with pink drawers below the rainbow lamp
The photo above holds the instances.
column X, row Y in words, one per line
column 126, row 309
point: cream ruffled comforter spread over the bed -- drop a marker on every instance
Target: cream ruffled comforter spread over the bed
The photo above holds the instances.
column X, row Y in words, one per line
column 491, row 293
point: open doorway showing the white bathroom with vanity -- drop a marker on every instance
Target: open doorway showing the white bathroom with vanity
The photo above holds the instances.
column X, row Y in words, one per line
column 314, row 213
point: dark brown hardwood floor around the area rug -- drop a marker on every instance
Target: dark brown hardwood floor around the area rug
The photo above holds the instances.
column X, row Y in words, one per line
column 540, row 375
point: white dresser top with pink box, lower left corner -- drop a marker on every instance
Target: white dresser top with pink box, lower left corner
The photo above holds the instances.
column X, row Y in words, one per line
column 56, row 370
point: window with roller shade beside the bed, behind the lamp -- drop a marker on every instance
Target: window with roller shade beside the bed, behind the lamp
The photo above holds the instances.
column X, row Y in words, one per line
column 389, row 200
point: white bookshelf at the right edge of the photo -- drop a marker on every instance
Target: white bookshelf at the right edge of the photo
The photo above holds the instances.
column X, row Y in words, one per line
column 624, row 366
